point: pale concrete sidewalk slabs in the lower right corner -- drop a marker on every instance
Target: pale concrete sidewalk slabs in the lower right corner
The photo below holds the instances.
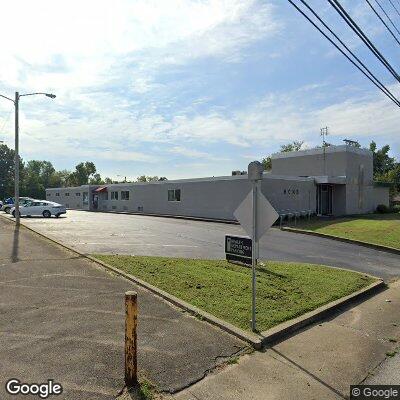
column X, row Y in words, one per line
column 318, row 363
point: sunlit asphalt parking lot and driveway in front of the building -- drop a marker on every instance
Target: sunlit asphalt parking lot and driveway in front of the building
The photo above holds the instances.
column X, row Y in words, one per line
column 108, row 233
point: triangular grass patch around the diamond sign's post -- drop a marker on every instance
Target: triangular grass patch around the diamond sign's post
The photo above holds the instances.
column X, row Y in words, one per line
column 284, row 290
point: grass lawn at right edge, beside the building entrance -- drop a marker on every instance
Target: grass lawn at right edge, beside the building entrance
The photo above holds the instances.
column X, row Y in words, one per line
column 383, row 229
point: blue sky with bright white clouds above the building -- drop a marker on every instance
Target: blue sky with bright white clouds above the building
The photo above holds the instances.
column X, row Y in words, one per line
column 187, row 88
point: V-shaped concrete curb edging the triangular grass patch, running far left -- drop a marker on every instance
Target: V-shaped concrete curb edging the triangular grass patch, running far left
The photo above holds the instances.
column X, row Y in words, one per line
column 257, row 341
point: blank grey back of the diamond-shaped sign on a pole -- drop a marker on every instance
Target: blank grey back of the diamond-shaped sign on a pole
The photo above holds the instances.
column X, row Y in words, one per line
column 266, row 214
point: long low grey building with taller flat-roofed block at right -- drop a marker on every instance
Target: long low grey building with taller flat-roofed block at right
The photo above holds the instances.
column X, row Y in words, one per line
column 337, row 180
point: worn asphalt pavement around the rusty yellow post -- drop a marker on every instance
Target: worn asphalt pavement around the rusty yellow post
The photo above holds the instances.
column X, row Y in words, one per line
column 62, row 317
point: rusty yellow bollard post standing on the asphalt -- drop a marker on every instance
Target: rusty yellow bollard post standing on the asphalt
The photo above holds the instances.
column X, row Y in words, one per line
column 130, row 339
